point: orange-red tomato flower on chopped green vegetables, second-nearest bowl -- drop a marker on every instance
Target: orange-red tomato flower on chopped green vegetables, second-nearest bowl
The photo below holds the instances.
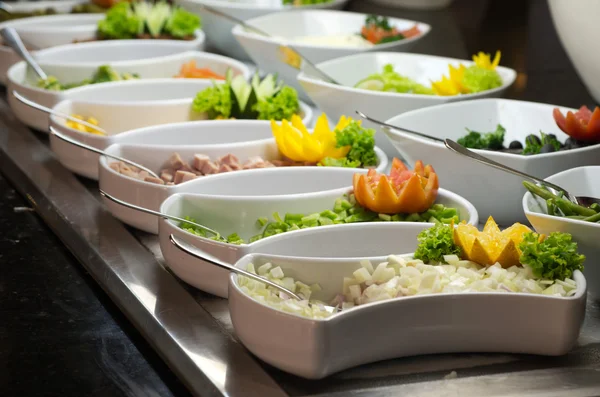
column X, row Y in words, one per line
column 403, row 191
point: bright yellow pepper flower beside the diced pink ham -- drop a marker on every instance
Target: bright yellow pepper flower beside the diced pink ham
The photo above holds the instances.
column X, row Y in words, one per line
column 296, row 143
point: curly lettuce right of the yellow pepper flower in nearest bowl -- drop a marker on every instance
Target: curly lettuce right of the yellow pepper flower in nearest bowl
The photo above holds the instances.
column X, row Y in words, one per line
column 554, row 258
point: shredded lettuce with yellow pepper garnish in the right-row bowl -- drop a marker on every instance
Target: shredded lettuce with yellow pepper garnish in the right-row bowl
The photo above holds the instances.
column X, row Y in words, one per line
column 481, row 76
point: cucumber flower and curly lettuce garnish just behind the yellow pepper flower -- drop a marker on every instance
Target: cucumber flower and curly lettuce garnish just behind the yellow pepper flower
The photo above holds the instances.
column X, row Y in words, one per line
column 265, row 99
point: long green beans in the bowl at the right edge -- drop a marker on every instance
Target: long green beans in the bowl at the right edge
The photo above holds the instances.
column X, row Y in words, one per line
column 557, row 205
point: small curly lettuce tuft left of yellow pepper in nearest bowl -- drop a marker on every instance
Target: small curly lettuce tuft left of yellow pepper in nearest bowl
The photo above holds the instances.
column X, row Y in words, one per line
column 436, row 242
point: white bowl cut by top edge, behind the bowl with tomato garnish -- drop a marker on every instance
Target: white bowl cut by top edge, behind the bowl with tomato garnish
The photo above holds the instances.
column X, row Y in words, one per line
column 218, row 29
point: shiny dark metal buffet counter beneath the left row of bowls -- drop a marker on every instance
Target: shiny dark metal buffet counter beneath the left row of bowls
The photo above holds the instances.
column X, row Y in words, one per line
column 192, row 330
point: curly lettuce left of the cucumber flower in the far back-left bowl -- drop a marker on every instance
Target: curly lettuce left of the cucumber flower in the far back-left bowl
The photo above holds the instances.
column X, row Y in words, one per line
column 120, row 23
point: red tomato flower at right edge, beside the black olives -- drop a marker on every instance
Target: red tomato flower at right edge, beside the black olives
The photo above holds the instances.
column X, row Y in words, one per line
column 582, row 125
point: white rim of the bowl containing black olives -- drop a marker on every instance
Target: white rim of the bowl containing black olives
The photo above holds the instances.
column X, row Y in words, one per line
column 488, row 153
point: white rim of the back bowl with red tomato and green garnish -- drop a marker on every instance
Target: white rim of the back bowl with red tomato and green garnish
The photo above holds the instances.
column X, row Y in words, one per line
column 238, row 30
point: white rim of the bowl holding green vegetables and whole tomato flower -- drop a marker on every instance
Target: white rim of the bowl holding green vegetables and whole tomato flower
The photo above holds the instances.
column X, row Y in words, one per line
column 473, row 215
